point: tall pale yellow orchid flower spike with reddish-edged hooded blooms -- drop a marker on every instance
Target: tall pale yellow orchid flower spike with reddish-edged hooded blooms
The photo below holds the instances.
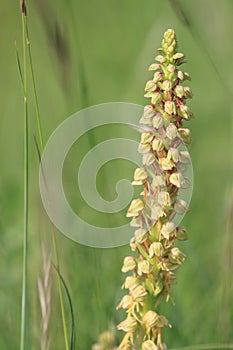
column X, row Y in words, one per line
column 155, row 256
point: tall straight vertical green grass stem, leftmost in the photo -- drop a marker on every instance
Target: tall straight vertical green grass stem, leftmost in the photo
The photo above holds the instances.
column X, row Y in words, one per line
column 25, row 238
